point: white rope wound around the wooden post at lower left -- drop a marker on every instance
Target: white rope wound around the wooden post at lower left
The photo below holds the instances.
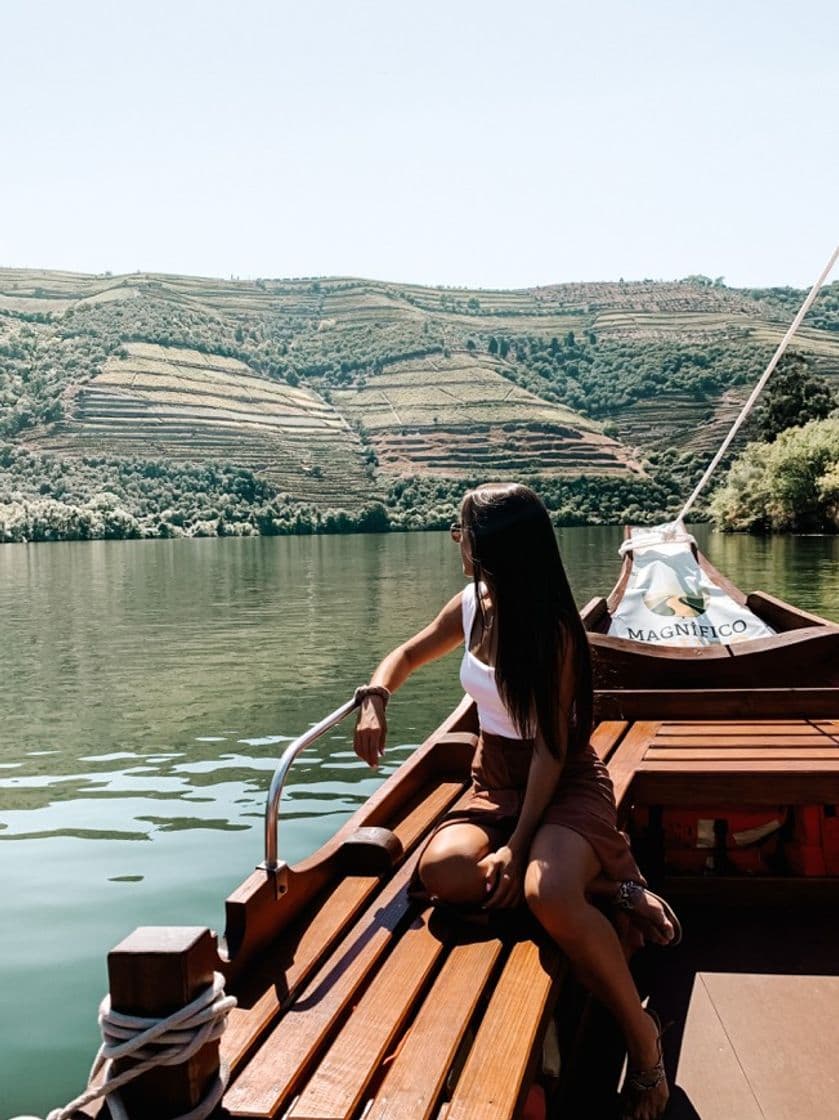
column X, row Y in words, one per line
column 152, row 1043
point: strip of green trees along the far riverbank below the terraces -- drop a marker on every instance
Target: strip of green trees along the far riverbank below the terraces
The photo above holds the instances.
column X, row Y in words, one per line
column 46, row 499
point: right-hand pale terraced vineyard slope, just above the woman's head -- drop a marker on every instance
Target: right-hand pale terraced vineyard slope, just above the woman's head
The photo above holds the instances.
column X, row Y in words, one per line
column 460, row 416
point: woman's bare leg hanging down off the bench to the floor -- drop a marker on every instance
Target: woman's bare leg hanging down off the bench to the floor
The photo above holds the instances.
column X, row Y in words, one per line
column 563, row 867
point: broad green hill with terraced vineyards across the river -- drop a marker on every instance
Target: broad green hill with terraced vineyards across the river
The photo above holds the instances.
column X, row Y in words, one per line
column 200, row 405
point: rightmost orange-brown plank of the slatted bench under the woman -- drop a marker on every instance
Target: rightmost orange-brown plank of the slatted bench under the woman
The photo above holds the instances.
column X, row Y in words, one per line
column 501, row 1058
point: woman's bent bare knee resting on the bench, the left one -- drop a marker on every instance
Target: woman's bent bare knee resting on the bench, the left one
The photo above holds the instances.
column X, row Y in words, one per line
column 449, row 866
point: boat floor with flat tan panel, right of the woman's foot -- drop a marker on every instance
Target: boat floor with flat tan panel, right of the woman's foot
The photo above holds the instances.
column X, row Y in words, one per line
column 751, row 1007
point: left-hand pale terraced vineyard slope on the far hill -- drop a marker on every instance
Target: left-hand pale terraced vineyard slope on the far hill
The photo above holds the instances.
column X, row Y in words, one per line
column 180, row 405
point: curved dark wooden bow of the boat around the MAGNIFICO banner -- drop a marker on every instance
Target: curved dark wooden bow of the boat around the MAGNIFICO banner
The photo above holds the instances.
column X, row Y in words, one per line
column 804, row 652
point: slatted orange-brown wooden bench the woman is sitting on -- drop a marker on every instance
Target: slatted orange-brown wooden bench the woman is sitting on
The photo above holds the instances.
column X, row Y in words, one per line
column 374, row 1004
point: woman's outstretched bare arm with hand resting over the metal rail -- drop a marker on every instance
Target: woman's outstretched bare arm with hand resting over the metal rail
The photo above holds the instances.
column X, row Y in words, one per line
column 440, row 638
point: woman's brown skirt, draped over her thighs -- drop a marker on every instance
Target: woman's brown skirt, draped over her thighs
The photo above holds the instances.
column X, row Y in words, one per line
column 584, row 800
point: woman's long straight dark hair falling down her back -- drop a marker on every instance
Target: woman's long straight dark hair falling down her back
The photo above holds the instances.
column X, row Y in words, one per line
column 515, row 553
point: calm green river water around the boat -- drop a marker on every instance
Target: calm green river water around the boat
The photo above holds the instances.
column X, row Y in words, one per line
column 147, row 692
